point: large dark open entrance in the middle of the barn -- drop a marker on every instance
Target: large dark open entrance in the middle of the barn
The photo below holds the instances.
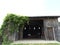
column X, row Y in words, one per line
column 33, row 30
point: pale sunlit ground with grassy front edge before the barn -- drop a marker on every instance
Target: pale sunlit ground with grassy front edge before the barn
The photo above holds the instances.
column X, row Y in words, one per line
column 35, row 42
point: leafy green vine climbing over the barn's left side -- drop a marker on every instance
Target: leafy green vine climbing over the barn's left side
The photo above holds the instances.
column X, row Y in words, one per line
column 11, row 24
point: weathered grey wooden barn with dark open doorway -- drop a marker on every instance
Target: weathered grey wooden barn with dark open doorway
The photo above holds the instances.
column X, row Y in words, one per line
column 38, row 28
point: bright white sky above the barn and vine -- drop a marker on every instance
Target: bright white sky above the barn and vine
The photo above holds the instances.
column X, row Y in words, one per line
column 29, row 8
